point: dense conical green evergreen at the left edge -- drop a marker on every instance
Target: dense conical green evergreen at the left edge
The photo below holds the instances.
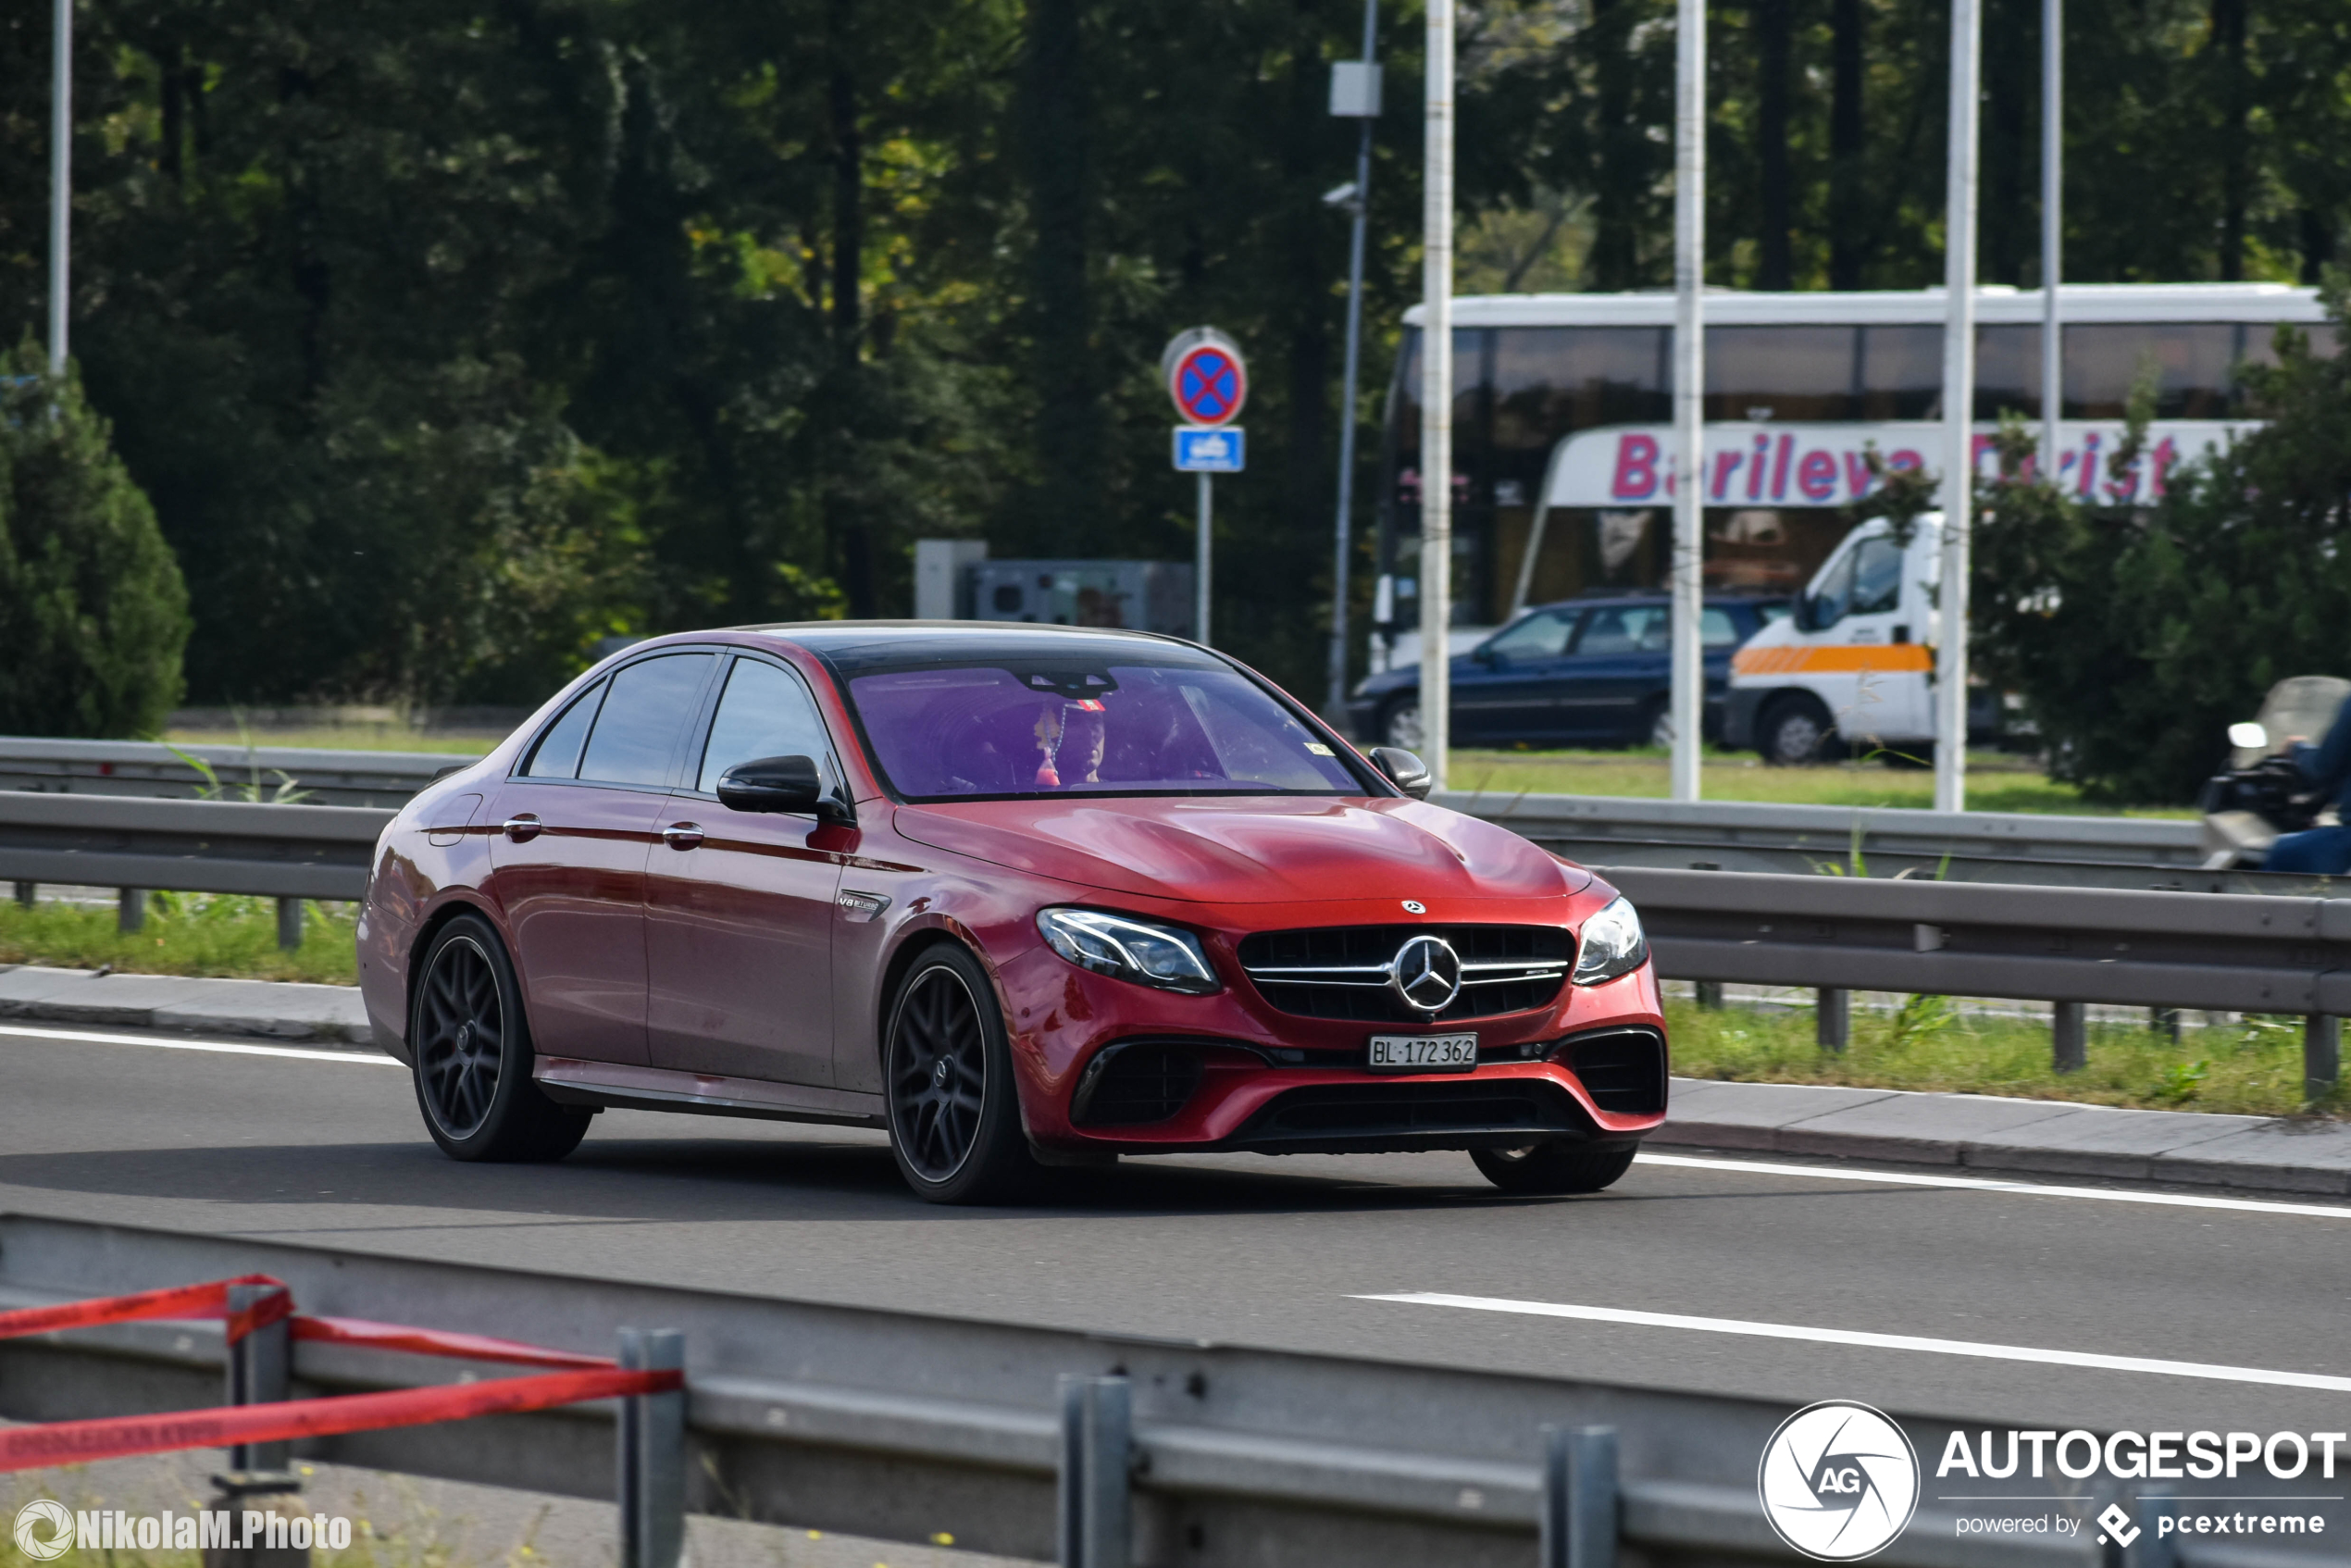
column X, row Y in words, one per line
column 93, row 608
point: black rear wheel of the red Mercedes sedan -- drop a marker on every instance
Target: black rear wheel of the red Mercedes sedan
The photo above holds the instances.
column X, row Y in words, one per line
column 474, row 1054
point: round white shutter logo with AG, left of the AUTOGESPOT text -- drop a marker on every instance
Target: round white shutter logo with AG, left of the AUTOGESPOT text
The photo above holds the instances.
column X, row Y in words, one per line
column 1840, row 1482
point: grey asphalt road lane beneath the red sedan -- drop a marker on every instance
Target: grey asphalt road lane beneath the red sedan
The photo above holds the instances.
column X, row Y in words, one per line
column 326, row 1148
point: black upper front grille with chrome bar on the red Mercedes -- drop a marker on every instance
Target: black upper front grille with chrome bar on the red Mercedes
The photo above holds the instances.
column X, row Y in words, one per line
column 1341, row 972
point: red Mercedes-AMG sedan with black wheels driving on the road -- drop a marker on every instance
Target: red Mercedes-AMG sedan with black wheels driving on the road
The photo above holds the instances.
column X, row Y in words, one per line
column 1022, row 897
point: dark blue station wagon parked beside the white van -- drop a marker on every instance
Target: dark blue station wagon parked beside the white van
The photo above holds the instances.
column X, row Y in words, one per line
column 1576, row 674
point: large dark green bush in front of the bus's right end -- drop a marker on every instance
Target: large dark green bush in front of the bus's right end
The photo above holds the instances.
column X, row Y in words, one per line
column 2138, row 634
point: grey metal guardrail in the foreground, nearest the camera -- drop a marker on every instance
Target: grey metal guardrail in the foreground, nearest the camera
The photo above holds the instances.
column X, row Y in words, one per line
column 902, row 1426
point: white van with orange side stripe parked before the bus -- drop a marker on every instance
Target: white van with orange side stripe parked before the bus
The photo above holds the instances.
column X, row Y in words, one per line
column 1854, row 666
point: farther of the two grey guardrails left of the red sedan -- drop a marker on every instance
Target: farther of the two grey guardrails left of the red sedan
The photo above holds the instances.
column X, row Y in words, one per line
column 149, row 768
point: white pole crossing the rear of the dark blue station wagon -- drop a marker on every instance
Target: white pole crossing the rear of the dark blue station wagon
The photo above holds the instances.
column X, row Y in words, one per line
column 1689, row 681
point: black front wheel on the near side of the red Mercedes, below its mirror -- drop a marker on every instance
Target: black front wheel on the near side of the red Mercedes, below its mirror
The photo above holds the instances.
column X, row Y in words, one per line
column 949, row 1085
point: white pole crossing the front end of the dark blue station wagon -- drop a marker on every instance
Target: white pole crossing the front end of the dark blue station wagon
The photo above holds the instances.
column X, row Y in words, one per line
column 1438, row 401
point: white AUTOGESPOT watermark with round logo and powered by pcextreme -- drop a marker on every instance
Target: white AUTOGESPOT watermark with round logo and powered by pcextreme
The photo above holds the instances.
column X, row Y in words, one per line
column 1842, row 1482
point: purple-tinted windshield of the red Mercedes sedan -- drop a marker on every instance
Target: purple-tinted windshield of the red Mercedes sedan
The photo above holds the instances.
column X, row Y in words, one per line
column 1010, row 728
